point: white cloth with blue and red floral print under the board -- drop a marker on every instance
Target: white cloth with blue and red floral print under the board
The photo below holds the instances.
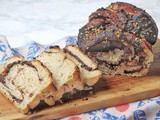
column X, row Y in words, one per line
column 148, row 109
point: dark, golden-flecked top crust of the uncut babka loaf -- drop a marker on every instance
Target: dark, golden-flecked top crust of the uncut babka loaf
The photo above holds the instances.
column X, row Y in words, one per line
column 112, row 22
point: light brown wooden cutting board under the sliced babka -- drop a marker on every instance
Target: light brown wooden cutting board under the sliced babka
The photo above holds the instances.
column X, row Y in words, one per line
column 116, row 90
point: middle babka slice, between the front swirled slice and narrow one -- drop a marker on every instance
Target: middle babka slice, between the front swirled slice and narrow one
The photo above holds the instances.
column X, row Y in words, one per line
column 65, row 73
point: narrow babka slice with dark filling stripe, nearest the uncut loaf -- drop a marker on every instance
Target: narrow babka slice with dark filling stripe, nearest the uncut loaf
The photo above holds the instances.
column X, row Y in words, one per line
column 88, row 68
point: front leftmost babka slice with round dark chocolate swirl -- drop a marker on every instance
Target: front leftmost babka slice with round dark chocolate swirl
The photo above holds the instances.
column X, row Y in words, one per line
column 25, row 83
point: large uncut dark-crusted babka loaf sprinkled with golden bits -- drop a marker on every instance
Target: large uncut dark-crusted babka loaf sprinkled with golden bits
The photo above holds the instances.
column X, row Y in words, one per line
column 119, row 38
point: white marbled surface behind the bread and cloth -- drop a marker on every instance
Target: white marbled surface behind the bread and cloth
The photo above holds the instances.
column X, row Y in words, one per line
column 46, row 21
